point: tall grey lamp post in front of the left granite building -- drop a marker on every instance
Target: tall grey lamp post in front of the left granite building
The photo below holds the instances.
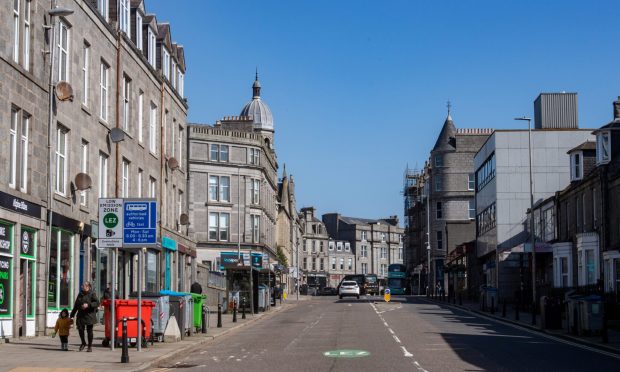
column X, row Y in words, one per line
column 53, row 13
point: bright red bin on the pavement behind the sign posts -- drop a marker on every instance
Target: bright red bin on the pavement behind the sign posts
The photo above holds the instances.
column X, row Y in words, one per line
column 128, row 309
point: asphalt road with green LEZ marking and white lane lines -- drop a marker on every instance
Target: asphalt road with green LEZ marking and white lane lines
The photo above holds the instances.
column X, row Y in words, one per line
column 407, row 334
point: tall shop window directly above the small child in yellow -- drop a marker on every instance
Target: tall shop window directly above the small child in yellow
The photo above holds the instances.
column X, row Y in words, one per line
column 60, row 271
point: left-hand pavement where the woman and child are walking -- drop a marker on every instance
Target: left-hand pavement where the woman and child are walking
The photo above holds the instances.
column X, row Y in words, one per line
column 43, row 354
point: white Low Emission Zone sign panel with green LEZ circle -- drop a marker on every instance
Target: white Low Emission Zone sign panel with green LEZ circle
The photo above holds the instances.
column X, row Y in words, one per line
column 110, row 223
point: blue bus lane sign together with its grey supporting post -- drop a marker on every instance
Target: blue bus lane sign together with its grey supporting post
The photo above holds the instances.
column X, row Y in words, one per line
column 139, row 231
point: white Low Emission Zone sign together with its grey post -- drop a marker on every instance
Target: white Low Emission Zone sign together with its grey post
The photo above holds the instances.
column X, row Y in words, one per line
column 111, row 236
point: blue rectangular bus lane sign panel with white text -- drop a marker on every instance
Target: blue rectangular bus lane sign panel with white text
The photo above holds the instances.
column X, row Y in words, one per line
column 139, row 223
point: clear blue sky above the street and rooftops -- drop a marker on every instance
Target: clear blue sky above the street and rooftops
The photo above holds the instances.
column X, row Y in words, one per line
column 358, row 89
